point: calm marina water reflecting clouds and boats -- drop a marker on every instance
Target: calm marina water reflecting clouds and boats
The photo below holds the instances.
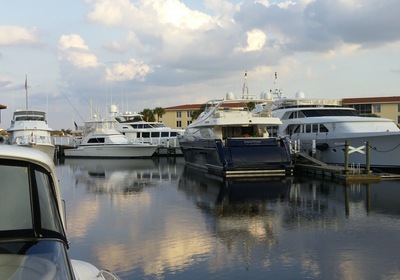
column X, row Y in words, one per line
column 154, row 219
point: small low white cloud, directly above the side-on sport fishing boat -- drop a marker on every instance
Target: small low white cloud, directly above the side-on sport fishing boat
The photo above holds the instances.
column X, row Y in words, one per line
column 129, row 71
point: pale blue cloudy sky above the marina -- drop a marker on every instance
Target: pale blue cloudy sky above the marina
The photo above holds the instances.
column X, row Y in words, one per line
column 81, row 56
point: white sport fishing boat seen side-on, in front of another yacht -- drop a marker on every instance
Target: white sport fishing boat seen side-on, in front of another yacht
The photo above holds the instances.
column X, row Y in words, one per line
column 101, row 139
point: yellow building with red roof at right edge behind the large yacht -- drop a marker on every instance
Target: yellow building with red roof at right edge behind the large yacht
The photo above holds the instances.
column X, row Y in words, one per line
column 384, row 107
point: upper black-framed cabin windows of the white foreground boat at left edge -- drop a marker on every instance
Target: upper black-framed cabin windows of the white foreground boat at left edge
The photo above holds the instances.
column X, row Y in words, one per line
column 28, row 204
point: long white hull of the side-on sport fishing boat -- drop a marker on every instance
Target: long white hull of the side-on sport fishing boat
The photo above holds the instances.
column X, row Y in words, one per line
column 112, row 151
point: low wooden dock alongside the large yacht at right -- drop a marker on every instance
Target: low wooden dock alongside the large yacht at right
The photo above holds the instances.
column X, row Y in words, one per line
column 312, row 166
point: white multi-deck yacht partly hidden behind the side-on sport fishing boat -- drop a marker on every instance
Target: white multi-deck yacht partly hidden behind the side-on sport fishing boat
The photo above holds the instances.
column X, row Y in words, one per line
column 138, row 130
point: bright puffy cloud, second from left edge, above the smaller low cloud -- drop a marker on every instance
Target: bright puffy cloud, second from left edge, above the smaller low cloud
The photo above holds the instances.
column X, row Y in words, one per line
column 73, row 49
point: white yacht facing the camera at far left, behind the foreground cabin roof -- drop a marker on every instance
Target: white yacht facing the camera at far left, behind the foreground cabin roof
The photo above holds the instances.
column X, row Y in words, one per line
column 29, row 128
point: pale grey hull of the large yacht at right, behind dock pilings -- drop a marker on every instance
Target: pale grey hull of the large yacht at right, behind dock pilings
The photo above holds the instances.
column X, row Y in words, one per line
column 384, row 149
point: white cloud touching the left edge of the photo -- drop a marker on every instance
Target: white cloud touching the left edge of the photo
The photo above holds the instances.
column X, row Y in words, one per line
column 15, row 35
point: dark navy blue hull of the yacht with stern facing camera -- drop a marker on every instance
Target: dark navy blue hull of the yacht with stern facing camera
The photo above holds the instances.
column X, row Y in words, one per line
column 239, row 157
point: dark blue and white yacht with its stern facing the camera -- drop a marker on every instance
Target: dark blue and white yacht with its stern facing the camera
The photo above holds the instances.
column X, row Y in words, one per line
column 229, row 140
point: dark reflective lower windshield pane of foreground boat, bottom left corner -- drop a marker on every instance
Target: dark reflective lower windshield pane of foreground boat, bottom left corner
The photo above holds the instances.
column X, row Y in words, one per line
column 45, row 259
